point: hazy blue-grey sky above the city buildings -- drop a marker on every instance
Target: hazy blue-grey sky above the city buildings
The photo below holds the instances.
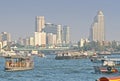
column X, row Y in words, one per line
column 18, row 16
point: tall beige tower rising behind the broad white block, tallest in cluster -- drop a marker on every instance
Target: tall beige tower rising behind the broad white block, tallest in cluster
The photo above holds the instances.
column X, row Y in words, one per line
column 40, row 23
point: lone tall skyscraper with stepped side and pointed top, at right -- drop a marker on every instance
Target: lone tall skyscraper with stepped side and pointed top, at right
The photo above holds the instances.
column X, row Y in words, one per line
column 97, row 30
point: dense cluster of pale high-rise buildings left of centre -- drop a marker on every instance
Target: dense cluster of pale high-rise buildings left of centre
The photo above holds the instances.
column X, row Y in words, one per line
column 44, row 34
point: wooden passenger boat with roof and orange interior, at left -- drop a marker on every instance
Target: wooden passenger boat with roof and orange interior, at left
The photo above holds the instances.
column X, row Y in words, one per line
column 18, row 63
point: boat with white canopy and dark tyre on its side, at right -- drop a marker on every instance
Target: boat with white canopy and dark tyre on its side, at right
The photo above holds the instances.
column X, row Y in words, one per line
column 109, row 66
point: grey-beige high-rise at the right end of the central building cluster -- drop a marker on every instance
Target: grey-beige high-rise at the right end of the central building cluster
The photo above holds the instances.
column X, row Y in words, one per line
column 66, row 35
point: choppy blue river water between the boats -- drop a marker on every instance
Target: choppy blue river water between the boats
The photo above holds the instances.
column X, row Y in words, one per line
column 49, row 69
